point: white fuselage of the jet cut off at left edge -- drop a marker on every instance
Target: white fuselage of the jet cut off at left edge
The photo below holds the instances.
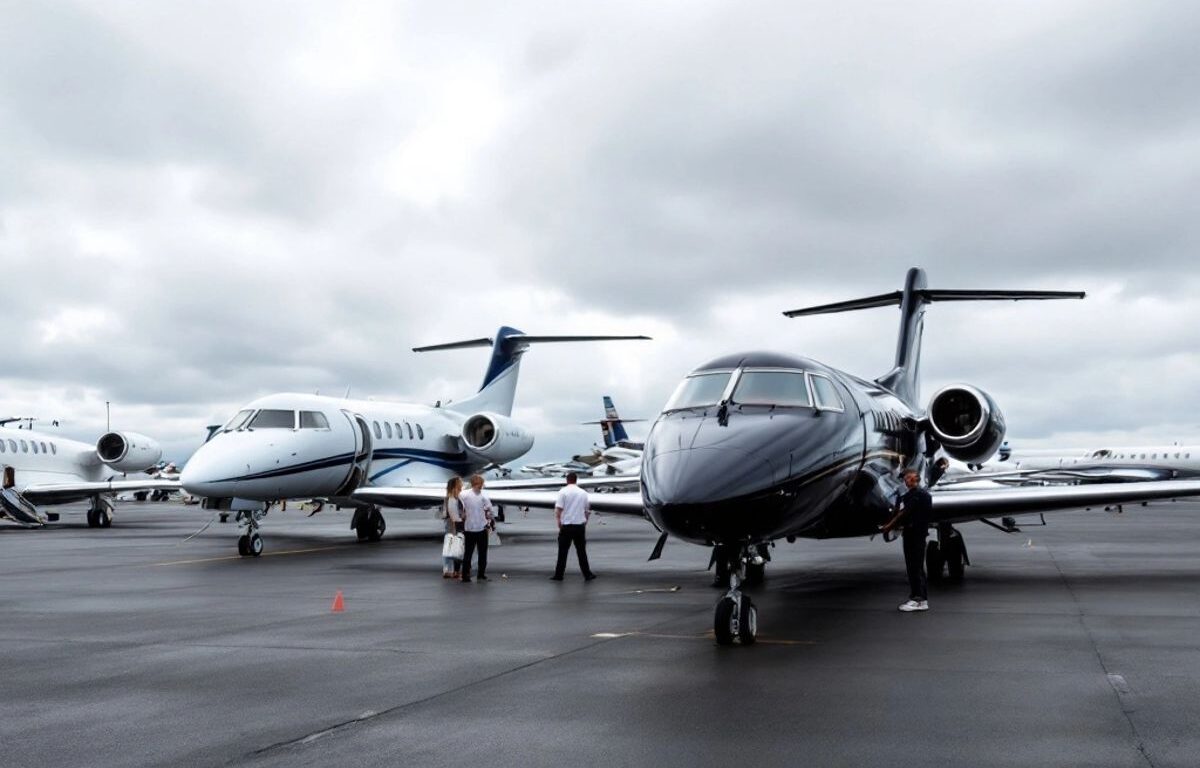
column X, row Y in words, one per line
column 43, row 459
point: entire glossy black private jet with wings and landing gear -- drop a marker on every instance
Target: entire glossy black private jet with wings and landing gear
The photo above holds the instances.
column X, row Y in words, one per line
column 758, row 447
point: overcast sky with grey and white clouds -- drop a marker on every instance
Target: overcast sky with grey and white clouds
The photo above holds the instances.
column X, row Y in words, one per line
column 202, row 203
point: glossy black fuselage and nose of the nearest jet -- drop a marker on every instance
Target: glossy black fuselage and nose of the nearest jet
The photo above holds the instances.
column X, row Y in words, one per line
column 751, row 475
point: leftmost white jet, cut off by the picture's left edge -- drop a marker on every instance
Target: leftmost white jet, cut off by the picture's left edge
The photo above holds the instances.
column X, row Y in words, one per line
column 49, row 469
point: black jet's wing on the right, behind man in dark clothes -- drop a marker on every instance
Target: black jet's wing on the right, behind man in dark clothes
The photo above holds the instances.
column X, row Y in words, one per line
column 962, row 506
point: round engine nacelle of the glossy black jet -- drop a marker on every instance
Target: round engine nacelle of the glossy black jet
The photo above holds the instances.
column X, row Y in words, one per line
column 967, row 422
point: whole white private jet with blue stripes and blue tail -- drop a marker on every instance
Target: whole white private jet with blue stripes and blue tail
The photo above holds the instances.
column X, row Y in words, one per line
column 292, row 446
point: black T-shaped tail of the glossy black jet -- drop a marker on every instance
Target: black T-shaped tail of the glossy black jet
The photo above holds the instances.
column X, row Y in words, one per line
column 904, row 377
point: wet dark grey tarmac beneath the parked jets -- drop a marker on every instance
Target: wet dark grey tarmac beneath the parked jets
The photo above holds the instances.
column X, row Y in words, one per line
column 1069, row 645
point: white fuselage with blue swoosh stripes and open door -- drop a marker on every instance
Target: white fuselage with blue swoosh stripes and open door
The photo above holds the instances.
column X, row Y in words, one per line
column 319, row 457
